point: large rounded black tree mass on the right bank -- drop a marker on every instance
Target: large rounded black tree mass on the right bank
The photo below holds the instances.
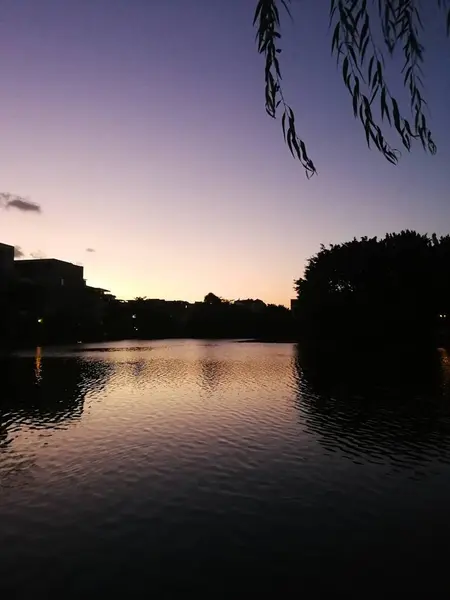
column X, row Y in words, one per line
column 393, row 288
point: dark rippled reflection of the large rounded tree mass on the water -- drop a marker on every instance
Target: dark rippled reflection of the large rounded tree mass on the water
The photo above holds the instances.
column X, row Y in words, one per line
column 383, row 407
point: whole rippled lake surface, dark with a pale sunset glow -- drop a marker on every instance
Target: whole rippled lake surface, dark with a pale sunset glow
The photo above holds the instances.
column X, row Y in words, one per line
column 156, row 468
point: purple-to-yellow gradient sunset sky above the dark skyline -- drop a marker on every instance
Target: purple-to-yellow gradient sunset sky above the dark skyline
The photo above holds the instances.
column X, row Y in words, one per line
column 138, row 127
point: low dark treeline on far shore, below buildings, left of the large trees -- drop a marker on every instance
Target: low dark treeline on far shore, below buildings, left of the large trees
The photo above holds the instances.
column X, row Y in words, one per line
column 142, row 318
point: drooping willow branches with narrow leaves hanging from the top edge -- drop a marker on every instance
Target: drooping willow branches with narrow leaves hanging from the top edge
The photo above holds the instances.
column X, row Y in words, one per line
column 363, row 36
